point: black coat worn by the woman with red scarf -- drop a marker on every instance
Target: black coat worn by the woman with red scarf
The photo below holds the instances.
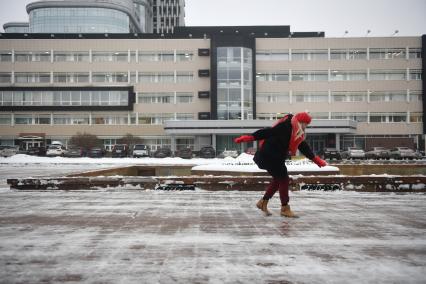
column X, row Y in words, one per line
column 272, row 154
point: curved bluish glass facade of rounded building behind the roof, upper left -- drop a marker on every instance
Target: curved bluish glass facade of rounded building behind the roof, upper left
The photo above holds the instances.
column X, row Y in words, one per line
column 79, row 20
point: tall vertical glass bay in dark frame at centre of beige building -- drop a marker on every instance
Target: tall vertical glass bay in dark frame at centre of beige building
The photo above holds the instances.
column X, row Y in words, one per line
column 234, row 83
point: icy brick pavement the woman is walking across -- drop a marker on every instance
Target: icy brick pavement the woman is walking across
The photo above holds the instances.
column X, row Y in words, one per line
column 210, row 237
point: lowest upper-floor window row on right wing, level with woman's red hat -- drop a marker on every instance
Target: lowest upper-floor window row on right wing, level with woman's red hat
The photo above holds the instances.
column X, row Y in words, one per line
column 381, row 117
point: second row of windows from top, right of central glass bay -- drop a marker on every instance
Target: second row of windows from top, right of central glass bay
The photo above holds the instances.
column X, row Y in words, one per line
column 339, row 75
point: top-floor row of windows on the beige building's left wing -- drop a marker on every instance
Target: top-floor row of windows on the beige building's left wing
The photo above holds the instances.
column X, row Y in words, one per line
column 96, row 56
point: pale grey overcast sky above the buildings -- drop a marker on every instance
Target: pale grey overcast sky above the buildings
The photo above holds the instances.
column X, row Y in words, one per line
column 333, row 17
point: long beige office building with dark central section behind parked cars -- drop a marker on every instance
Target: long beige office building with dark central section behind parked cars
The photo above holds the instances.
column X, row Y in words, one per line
column 206, row 85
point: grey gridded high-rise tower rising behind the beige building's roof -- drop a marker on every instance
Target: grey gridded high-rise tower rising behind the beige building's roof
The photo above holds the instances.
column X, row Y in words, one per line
column 168, row 14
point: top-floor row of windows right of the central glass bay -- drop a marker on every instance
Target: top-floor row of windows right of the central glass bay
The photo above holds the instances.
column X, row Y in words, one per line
column 339, row 54
